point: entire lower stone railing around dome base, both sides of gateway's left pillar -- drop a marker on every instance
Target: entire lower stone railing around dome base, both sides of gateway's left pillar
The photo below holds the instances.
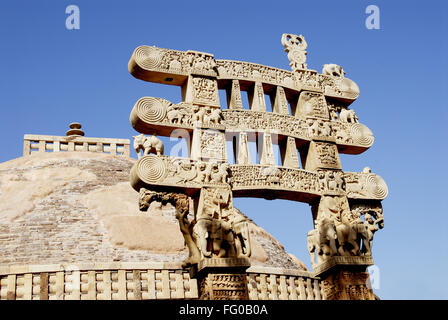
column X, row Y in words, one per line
column 142, row 281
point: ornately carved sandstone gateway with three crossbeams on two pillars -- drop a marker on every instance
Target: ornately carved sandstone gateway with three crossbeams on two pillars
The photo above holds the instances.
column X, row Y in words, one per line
column 310, row 117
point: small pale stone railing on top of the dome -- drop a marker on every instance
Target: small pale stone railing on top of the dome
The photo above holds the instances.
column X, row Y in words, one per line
column 43, row 143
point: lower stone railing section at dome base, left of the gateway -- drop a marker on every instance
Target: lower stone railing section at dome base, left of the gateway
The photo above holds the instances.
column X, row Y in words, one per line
column 101, row 281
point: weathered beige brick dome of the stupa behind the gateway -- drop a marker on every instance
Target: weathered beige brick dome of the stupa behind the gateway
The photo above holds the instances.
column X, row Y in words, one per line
column 78, row 207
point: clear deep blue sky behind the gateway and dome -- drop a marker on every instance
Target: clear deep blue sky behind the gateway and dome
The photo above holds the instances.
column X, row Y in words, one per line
column 51, row 76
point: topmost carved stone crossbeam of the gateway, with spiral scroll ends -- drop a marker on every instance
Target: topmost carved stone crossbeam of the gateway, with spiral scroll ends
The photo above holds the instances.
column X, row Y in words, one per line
column 166, row 66
